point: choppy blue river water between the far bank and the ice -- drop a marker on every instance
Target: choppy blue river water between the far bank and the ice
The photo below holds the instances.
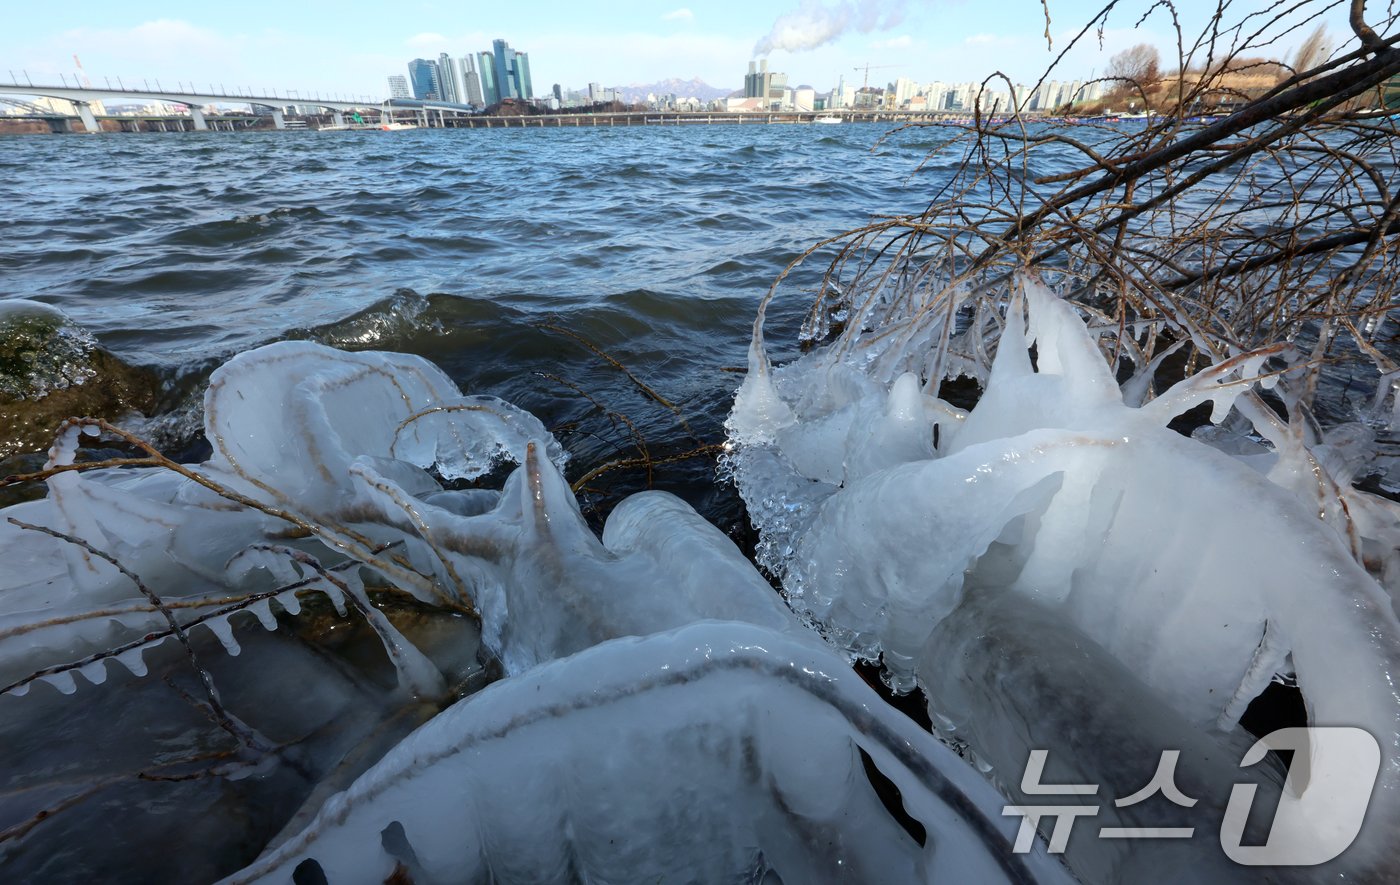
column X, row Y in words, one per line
column 656, row 244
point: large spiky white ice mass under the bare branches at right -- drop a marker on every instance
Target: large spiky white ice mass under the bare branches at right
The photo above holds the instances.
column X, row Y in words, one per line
column 1062, row 515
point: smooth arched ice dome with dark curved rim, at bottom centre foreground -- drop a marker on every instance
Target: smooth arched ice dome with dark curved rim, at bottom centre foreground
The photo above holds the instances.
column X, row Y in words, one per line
column 717, row 753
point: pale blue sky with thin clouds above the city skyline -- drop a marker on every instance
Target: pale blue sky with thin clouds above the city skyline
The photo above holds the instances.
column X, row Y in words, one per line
column 351, row 48
